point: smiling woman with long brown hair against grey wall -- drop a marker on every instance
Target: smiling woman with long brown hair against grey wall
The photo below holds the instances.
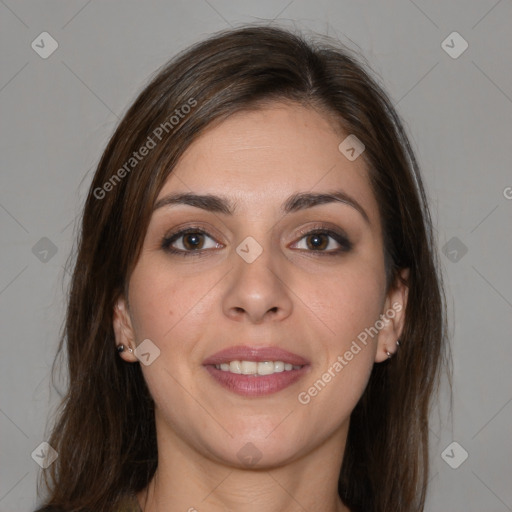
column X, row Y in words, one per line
column 256, row 319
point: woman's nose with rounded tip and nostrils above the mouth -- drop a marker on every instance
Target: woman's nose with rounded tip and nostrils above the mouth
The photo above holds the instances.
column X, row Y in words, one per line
column 258, row 291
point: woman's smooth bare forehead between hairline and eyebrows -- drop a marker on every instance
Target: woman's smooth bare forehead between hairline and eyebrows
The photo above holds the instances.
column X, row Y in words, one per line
column 259, row 157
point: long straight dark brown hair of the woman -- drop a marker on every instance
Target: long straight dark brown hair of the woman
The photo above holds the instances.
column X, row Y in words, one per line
column 105, row 430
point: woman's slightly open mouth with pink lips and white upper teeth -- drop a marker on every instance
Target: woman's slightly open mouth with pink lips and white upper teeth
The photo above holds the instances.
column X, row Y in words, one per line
column 260, row 371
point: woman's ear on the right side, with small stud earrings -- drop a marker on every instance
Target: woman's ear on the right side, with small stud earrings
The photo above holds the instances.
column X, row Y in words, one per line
column 393, row 317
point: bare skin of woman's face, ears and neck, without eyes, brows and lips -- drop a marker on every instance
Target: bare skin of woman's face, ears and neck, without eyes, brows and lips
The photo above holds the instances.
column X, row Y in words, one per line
column 292, row 296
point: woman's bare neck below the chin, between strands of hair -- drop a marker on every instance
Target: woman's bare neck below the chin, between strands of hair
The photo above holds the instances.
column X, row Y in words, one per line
column 186, row 480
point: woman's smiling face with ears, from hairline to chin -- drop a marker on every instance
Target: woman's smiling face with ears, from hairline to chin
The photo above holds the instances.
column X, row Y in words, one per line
column 249, row 276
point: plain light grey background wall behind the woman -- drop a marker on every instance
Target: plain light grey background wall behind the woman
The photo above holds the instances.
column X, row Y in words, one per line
column 58, row 113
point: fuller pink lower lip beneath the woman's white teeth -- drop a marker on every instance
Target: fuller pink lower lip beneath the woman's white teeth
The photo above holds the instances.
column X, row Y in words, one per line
column 254, row 385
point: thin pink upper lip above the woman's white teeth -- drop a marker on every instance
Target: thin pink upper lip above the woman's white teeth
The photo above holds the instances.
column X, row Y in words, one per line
column 258, row 354
